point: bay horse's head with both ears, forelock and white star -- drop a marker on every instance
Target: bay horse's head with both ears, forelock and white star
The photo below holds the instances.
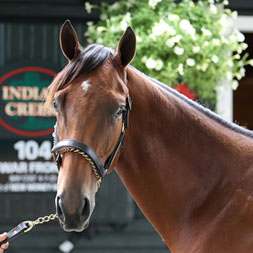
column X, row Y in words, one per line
column 90, row 97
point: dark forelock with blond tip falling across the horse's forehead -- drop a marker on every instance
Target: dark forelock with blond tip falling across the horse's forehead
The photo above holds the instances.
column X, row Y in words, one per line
column 89, row 59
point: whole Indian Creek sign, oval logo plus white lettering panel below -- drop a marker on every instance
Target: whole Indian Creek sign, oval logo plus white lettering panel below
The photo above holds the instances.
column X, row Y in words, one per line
column 26, row 161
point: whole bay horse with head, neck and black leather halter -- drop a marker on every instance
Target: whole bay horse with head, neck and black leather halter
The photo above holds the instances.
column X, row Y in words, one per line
column 189, row 171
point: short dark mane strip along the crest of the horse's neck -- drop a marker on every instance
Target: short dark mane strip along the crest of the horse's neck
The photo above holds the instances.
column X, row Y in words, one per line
column 199, row 107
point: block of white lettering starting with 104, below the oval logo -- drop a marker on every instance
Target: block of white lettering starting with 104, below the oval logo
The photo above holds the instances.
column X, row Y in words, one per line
column 34, row 171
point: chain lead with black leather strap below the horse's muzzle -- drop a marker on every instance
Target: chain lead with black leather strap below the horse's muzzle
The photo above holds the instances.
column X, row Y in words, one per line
column 27, row 226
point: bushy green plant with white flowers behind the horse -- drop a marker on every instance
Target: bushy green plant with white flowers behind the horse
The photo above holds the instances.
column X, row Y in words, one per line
column 188, row 42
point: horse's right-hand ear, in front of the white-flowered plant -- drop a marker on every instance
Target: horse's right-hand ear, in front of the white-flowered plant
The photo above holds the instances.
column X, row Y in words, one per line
column 126, row 48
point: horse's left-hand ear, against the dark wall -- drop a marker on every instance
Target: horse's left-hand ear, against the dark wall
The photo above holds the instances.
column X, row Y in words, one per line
column 69, row 43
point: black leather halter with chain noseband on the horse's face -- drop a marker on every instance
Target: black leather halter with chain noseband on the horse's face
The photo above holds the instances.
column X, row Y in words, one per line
column 86, row 151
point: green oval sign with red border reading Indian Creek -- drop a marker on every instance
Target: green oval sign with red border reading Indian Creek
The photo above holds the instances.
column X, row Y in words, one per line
column 22, row 94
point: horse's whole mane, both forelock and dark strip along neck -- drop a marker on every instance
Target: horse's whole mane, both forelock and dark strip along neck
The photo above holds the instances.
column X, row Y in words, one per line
column 95, row 55
